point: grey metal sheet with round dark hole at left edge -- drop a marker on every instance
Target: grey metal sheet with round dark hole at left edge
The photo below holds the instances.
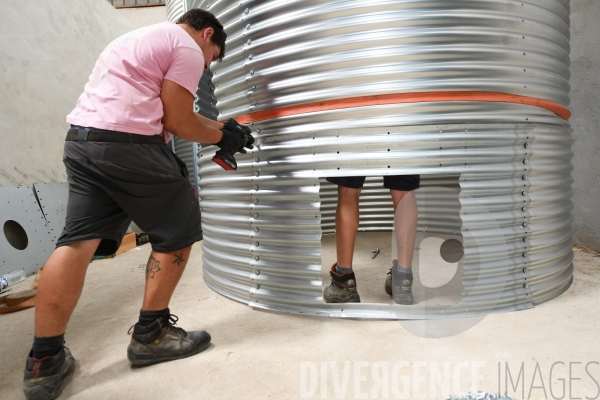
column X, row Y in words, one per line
column 23, row 222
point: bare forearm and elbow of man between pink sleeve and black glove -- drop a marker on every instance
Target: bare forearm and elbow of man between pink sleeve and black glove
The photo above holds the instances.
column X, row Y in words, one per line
column 180, row 119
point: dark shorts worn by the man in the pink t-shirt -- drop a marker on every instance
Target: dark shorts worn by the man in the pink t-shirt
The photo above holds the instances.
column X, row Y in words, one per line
column 111, row 184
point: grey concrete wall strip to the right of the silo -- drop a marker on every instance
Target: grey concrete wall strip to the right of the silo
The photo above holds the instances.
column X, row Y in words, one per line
column 585, row 105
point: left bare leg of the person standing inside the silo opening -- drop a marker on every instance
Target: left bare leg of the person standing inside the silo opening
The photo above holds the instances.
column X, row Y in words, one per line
column 346, row 224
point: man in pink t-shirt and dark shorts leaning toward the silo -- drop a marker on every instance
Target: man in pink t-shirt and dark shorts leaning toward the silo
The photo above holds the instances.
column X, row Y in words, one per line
column 140, row 92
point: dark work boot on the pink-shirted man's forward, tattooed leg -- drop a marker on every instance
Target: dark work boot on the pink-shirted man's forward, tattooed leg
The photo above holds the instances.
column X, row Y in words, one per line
column 163, row 341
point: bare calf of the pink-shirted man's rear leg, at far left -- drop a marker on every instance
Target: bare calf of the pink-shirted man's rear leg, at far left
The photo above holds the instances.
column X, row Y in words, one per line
column 60, row 286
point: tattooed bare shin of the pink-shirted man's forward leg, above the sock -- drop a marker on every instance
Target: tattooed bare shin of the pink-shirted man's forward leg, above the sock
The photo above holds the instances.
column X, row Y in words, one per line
column 163, row 272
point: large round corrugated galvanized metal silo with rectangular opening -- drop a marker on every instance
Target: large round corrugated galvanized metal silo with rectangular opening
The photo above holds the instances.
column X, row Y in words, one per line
column 496, row 175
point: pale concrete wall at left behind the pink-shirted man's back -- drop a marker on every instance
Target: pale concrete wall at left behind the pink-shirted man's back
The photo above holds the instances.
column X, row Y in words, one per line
column 47, row 51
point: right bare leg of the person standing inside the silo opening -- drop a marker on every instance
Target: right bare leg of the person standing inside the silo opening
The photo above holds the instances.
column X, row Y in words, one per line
column 405, row 208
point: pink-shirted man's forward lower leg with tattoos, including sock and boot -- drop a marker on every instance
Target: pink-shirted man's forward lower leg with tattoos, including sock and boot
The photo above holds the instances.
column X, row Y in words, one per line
column 155, row 338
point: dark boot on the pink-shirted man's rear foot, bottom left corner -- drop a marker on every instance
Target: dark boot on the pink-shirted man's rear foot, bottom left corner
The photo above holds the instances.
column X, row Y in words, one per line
column 43, row 377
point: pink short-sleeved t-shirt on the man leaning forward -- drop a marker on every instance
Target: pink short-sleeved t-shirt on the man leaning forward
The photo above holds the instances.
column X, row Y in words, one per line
column 123, row 93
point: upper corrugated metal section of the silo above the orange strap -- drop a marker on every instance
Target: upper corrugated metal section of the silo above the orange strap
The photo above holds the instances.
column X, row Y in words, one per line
column 288, row 52
